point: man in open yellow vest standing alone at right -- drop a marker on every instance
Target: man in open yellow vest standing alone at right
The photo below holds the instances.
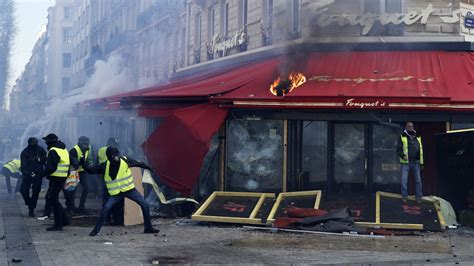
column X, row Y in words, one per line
column 410, row 152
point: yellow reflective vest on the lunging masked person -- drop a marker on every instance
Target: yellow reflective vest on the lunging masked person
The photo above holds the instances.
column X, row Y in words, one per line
column 123, row 182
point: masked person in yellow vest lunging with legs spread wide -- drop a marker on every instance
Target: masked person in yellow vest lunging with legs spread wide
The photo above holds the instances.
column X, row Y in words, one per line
column 119, row 182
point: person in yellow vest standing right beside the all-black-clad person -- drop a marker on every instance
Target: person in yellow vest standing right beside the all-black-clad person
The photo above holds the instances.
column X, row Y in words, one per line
column 57, row 171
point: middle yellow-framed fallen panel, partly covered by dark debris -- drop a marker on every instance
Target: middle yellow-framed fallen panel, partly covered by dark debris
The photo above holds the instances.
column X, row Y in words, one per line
column 301, row 199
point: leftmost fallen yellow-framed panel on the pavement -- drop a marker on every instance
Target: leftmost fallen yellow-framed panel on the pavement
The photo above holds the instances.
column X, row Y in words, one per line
column 235, row 207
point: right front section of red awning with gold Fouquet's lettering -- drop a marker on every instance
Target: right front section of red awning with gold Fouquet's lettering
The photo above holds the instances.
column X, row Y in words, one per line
column 370, row 80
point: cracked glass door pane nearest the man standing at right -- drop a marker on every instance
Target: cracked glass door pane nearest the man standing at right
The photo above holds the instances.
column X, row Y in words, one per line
column 349, row 158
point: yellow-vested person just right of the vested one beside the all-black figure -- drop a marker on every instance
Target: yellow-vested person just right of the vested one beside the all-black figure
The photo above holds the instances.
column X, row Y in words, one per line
column 80, row 155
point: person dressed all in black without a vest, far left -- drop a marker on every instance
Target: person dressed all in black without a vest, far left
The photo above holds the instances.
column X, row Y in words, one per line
column 33, row 158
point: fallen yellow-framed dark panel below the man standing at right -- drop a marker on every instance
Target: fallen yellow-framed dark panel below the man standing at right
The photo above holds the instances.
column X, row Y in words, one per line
column 392, row 211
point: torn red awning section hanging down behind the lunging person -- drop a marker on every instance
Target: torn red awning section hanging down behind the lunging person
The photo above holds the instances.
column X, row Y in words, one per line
column 178, row 147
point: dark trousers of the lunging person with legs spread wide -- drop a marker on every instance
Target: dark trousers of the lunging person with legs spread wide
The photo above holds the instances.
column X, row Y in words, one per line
column 113, row 200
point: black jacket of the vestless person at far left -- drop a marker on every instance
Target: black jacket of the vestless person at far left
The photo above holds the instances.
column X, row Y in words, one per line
column 32, row 161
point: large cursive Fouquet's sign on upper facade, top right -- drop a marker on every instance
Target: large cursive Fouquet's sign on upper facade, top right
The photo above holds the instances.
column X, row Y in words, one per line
column 367, row 20
